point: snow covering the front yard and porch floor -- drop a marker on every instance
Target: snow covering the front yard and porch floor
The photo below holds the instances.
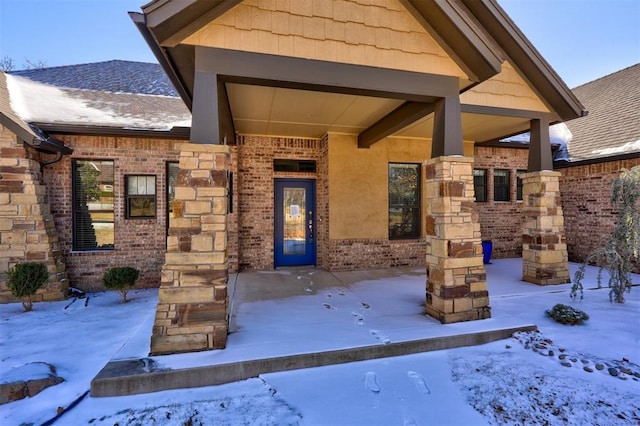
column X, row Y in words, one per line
column 520, row 380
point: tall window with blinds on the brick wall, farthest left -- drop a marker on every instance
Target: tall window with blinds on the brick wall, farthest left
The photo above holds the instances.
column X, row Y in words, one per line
column 92, row 199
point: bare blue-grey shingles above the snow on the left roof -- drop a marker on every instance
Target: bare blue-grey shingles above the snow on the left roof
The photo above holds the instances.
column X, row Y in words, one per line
column 110, row 76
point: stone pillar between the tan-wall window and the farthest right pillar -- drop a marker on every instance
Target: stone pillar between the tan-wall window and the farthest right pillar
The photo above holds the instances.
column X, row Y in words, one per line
column 456, row 277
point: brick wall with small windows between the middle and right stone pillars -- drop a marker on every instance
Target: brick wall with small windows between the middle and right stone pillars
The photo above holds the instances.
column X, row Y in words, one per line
column 501, row 221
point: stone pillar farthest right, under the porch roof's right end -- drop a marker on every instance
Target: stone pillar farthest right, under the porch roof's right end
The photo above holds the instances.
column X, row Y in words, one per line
column 544, row 248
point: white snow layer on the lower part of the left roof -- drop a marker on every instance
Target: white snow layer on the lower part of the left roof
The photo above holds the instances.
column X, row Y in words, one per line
column 37, row 102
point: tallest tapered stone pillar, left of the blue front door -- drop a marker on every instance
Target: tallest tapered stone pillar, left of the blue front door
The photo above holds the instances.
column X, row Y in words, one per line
column 192, row 313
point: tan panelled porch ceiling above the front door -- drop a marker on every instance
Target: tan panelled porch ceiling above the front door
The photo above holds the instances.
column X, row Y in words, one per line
column 287, row 112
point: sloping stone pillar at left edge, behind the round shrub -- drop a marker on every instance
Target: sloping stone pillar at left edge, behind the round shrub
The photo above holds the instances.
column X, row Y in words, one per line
column 27, row 229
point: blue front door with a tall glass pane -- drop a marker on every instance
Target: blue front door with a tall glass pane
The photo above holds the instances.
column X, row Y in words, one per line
column 295, row 222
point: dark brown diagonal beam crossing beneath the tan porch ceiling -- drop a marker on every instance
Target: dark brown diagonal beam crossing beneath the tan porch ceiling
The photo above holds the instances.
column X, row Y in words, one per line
column 397, row 119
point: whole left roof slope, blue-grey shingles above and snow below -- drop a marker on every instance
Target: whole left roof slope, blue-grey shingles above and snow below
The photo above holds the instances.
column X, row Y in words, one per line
column 115, row 94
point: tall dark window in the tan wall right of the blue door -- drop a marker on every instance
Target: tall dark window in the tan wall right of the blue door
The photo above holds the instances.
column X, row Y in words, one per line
column 404, row 201
